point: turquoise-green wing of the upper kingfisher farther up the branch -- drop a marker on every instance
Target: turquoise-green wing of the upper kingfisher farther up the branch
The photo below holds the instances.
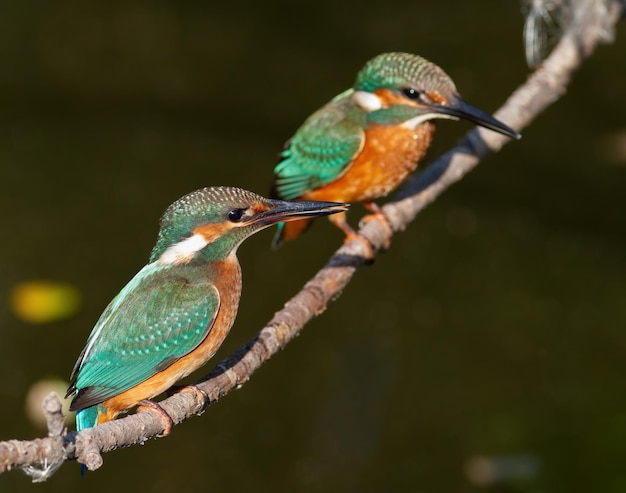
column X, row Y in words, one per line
column 320, row 151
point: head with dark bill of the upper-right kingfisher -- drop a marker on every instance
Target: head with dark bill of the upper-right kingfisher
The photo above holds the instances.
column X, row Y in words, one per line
column 408, row 89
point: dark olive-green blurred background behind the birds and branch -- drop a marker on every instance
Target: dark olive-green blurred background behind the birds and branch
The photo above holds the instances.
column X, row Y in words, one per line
column 494, row 327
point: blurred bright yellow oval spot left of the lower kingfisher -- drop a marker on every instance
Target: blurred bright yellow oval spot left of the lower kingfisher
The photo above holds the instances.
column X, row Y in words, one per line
column 44, row 301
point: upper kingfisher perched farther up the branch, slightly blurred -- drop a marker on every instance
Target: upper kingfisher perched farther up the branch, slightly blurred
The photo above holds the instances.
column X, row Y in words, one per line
column 363, row 143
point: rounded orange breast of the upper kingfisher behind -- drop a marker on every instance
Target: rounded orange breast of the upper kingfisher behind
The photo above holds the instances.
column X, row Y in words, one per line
column 389, row 155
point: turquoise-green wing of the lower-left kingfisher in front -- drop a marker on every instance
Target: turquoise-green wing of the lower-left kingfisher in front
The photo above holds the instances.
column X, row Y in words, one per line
column 147, row 327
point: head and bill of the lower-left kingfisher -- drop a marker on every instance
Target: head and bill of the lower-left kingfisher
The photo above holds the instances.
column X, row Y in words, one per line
column 215, row 220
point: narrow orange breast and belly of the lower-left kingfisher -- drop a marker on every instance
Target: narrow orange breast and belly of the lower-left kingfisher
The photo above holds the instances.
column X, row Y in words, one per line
column 228, row 283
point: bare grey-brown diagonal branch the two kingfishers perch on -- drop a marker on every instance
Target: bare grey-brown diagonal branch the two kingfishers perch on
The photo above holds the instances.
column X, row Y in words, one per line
column 41, row 457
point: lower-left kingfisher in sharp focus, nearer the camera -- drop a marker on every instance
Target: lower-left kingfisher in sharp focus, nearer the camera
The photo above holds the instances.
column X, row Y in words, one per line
column 171, row 318
